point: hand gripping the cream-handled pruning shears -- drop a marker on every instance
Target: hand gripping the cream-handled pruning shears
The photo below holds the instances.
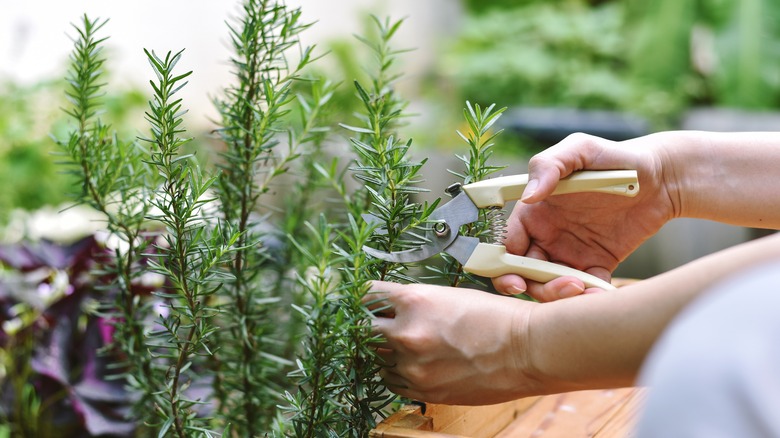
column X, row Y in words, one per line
column 591, row 232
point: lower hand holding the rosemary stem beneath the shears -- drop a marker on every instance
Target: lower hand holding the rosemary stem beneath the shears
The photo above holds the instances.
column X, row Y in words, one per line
column 452, row 345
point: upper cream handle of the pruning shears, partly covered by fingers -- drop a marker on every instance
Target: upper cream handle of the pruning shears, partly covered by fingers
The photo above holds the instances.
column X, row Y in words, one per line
column 496, row 192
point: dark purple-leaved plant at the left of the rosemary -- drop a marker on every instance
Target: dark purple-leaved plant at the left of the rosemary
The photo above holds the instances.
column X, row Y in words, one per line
column 70, row 371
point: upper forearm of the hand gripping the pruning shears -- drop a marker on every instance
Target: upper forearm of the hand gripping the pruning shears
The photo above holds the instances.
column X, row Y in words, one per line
column 727, row 177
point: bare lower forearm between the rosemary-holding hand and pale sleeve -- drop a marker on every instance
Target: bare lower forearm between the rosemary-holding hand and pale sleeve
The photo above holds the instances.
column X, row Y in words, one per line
column 600, row 340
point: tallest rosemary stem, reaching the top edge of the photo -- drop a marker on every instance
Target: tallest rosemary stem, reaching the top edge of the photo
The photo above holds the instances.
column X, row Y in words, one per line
column 255, row 116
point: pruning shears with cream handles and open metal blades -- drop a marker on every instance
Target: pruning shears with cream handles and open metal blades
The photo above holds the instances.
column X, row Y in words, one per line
column 491, row 259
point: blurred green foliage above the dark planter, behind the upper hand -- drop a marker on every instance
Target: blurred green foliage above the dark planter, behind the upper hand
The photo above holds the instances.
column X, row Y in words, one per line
column 651, row 58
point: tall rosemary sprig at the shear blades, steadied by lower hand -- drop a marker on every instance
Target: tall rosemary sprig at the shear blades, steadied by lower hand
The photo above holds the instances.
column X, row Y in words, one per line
column 390, row 179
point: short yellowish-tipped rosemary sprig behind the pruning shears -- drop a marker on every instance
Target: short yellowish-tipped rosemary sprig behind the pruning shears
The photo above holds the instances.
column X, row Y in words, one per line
column 480, row 140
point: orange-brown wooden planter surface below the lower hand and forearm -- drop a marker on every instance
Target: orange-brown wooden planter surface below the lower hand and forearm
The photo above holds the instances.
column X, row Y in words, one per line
column 601, row 414
